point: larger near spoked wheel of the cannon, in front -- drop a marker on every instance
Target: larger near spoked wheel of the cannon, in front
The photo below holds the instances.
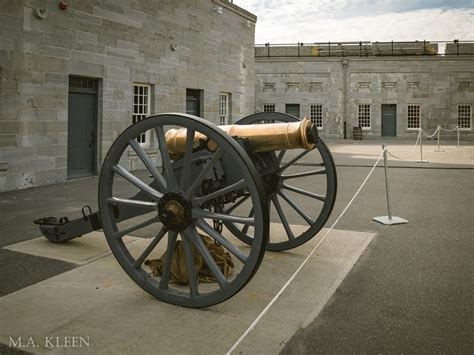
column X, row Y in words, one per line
column 157, row 182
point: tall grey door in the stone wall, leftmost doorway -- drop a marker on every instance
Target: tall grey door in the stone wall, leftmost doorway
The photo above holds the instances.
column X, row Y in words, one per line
column 82, row 127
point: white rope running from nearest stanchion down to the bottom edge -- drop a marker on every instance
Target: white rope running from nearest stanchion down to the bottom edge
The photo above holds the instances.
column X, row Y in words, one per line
column 265, row 310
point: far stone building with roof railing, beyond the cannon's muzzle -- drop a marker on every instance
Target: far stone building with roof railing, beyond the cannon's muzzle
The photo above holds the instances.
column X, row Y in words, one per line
column 388, row 89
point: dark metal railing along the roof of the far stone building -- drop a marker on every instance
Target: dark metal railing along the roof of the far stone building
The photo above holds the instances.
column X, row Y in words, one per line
column 365, row 49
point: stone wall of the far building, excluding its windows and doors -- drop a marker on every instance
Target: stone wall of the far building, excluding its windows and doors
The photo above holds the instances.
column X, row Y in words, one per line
column 437, row 84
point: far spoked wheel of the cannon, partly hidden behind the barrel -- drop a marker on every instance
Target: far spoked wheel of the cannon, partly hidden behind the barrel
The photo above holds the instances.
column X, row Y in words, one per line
column 318, row 164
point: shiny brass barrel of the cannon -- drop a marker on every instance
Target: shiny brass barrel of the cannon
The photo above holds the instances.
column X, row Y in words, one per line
column 263, row 137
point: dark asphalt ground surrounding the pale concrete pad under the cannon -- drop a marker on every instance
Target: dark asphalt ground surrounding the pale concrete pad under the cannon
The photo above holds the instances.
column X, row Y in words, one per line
column 410, row 292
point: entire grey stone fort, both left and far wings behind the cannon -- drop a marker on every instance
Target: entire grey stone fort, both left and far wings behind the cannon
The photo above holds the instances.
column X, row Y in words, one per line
column 73, row 75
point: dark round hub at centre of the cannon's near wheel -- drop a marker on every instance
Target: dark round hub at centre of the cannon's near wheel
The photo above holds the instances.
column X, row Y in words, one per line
column 174, row 211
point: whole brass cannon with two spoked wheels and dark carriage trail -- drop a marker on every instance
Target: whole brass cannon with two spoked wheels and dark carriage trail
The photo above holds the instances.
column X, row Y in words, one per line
column 196, row 179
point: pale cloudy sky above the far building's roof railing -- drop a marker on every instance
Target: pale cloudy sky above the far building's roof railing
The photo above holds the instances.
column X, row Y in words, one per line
column 288, row 21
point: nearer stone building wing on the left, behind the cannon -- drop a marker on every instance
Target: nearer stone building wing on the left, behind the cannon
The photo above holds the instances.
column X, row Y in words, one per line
column 75, row 74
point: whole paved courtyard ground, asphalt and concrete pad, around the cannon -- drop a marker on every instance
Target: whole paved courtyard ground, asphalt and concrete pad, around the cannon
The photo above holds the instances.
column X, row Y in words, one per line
column 369, row 288
